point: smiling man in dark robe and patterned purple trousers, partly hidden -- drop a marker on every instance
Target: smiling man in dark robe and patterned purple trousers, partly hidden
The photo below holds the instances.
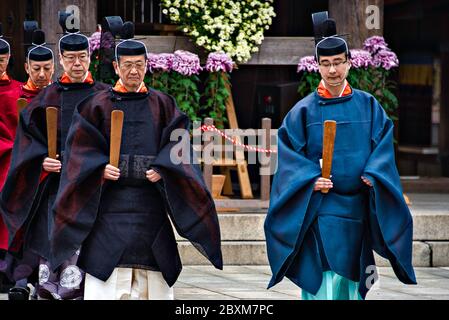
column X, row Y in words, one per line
column 33, row 178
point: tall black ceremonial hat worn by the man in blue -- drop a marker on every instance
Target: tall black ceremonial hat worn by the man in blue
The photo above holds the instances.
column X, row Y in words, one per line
column 327, row 41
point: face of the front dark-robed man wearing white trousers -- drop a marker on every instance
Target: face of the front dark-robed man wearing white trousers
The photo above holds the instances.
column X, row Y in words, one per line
column 131, row 70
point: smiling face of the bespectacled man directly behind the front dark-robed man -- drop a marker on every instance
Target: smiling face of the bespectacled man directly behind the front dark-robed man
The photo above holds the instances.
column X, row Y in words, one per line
column 75, row 64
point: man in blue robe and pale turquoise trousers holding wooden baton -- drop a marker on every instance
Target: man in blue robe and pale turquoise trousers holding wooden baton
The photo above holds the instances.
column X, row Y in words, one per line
column 324, row 242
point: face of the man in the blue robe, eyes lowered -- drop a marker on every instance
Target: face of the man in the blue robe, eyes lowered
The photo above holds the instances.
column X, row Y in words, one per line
column 333, row 69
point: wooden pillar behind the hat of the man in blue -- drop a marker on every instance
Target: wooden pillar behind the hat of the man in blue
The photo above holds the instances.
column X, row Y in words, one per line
column 352, row 19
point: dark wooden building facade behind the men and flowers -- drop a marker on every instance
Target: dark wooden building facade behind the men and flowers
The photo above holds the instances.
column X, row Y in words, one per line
column 417, row 30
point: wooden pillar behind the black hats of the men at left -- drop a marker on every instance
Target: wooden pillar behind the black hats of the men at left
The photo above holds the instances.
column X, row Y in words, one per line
column 50, row 21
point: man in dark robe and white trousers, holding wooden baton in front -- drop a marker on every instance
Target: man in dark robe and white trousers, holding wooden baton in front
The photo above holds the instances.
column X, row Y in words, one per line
column 120, row 217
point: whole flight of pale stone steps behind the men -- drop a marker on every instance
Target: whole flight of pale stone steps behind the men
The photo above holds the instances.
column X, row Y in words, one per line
column 243, row 238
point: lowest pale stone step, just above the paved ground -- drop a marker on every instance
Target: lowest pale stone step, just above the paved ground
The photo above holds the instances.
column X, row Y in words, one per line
column 425, row 254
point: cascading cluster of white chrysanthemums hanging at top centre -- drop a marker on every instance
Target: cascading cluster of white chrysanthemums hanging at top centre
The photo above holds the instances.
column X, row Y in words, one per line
column 233, row 26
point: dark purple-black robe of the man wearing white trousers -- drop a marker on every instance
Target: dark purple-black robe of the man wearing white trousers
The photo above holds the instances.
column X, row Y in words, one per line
column 81, row 209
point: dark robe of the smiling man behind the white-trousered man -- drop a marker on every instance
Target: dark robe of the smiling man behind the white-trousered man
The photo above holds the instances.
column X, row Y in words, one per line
column 29, row 192
